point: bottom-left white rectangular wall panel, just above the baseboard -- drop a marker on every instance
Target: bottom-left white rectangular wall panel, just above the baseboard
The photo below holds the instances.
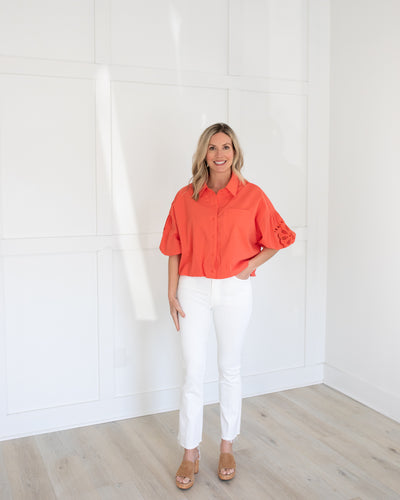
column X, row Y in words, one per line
column 51, row 330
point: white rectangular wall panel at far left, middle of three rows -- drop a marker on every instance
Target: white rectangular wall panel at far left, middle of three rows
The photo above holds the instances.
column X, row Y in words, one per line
column 48, row 156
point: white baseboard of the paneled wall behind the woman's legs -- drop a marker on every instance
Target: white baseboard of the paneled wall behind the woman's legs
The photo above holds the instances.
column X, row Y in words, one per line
column 95, row 412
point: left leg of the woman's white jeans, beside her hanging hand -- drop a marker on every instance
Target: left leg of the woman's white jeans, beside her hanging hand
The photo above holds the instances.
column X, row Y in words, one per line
column 194, row 295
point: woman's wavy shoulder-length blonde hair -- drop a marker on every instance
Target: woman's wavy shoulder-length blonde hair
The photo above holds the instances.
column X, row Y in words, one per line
column 200, row 171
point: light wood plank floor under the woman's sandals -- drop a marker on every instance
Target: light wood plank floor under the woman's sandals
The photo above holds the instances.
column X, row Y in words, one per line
column 307, row 443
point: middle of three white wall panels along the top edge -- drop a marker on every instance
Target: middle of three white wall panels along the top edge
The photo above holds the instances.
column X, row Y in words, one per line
column 180, row 35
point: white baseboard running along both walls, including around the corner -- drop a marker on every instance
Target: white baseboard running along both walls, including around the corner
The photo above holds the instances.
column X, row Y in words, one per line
column 90, row 413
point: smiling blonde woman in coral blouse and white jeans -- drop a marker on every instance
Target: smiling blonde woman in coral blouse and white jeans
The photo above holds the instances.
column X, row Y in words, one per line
column 220, row 228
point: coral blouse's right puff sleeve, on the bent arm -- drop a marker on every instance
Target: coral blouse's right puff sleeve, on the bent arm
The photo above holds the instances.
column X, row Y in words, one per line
column 272, row 231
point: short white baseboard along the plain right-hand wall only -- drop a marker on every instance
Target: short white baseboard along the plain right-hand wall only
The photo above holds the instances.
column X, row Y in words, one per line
column 362, row 391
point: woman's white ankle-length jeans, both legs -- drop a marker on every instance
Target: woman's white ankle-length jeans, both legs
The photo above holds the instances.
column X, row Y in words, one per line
column 228, row 302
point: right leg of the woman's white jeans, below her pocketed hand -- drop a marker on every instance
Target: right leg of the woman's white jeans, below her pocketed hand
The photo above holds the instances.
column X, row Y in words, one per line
column 232, row 306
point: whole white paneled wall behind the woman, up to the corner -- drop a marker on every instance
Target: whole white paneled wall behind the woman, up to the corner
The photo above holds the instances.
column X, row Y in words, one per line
column 101, row 106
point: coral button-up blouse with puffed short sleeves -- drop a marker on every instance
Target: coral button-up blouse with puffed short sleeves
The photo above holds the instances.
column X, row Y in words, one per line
column 220, row 232
